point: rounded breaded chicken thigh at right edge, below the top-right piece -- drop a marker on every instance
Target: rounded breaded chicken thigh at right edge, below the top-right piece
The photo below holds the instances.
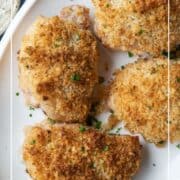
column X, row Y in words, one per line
column 139, row 97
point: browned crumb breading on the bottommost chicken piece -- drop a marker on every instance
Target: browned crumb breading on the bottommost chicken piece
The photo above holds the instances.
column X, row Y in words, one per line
column 73, row 152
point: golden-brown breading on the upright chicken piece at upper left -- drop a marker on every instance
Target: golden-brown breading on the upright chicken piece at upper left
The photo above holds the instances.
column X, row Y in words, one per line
column 58, row 68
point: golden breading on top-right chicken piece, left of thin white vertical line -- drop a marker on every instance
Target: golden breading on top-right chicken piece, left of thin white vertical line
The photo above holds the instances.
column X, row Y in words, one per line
column 135, row 26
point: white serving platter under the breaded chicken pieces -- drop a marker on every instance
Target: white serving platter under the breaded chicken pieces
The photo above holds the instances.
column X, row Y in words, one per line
column 157, row 164
